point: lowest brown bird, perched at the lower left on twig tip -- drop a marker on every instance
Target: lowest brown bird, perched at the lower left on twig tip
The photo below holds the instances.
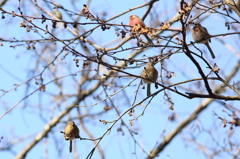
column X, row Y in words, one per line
column 71, row 132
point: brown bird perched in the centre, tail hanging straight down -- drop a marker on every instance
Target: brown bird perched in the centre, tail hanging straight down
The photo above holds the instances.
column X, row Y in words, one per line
column 149, row 72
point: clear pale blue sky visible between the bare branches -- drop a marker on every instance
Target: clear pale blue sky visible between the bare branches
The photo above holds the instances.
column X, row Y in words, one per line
column 17, row 65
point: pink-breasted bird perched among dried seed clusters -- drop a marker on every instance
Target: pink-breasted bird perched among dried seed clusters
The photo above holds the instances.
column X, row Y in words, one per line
column 135, row 20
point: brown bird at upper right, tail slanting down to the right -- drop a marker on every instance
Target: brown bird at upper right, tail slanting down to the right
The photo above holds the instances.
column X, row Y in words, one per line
column 201, row 35
